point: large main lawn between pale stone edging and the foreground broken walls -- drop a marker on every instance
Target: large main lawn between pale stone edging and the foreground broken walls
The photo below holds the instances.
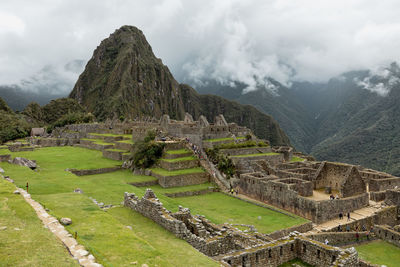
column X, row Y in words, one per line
column 104, row 234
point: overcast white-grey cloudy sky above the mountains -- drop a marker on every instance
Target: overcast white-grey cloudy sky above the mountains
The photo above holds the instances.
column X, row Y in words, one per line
column 245, row 41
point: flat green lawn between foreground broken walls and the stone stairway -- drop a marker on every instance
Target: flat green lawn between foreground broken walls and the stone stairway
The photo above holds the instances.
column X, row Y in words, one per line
column 220, row 208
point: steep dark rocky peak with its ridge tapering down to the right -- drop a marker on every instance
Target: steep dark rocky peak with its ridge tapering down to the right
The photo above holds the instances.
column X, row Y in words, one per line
column 124, row 78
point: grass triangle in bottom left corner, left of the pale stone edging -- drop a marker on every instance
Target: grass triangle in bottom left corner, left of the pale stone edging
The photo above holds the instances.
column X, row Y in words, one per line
column 26, row 242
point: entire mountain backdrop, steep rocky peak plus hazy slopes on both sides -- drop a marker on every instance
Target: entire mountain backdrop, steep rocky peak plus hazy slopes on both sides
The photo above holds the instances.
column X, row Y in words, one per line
column 352, row 118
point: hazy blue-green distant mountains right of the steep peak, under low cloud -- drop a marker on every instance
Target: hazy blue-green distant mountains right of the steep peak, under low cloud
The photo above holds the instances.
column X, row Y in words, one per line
column 351, row 118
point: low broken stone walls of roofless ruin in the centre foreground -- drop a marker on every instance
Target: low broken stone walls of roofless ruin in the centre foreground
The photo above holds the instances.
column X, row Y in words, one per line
column 231, row 246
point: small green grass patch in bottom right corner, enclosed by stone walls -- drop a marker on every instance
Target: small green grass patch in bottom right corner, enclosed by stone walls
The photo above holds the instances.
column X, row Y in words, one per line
column 380, row 252
